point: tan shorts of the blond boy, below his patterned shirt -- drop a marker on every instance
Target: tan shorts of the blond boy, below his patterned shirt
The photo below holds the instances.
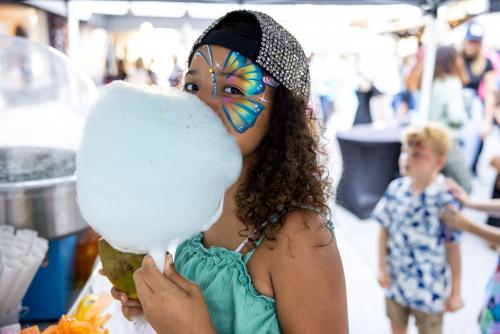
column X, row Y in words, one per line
column 426, row 323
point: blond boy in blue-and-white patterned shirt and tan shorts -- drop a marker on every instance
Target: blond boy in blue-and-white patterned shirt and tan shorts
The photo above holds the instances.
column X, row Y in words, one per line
column 416, row 251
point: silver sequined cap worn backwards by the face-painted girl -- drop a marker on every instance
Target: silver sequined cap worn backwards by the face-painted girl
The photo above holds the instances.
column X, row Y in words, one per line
column 279, row 53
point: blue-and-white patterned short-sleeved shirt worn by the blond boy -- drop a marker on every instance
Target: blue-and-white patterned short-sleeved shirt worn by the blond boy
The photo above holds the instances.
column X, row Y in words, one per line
column 416, row 252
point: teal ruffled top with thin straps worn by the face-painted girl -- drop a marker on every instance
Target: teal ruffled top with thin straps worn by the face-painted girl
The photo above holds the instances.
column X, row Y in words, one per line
column 233, row 303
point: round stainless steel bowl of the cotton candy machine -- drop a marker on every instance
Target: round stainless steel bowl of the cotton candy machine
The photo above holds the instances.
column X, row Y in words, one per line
column 38, row 190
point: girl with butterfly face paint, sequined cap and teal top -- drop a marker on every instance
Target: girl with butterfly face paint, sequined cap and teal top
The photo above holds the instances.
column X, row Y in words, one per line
column 270, row 263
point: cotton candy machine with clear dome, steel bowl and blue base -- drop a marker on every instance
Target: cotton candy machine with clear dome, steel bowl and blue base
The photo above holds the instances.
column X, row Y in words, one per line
column 44, row 101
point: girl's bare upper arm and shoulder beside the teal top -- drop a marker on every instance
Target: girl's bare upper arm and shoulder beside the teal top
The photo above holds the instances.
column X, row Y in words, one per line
column 307, row 277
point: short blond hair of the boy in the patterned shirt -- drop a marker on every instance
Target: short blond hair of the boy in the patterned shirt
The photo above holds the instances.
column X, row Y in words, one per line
column 431, row 135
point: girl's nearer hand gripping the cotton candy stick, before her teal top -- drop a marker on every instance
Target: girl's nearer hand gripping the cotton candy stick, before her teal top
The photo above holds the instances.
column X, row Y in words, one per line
column 171, row 303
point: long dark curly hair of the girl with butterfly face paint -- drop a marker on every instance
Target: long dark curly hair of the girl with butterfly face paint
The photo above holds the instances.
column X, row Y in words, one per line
column 288, row 172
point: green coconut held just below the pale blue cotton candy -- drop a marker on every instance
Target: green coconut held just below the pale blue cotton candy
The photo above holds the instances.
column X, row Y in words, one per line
column 120, row 267
